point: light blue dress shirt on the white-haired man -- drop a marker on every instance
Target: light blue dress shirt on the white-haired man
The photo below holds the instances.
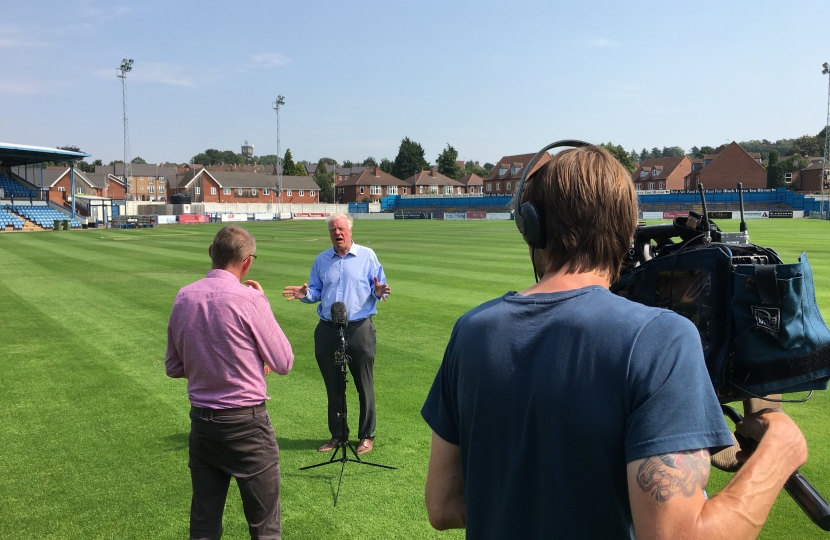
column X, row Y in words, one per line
column 349, row 279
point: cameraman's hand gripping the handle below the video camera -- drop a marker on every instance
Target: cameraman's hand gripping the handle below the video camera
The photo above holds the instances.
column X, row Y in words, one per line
column 774, row 427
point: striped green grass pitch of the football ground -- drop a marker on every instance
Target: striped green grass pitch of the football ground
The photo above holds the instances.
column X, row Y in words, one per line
column 94, row 435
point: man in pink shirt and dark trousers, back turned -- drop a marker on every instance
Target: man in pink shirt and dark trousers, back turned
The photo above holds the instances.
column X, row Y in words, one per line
column 223, row 338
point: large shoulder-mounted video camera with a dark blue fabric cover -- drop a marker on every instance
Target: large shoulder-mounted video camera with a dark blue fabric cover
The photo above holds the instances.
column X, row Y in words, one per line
column 758, row 320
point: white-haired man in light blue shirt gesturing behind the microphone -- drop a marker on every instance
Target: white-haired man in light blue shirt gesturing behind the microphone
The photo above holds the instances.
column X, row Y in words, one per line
column 351, row 274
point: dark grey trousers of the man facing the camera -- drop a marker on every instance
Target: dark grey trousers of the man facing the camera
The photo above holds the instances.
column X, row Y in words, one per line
column 360, row 340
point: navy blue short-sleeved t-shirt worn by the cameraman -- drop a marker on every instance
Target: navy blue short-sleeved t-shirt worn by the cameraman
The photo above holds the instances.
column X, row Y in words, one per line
column 550, row 395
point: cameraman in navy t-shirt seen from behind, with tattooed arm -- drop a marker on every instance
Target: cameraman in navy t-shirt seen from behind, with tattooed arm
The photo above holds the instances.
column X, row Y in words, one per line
column 566, row 411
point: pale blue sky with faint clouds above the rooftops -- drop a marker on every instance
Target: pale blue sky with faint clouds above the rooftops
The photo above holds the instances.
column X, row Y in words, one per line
column 491, row 78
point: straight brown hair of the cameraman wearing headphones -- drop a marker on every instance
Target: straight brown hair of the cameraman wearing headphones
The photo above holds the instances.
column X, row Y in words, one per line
column 590, row 210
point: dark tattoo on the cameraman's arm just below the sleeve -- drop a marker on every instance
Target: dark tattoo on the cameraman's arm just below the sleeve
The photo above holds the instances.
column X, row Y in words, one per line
column 666, row 475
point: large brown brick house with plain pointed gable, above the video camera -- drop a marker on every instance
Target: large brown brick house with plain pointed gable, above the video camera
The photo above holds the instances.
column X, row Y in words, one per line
column 723, row 169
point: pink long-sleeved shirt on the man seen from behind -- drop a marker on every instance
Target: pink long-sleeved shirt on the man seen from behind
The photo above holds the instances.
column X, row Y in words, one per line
column 220, row 333
